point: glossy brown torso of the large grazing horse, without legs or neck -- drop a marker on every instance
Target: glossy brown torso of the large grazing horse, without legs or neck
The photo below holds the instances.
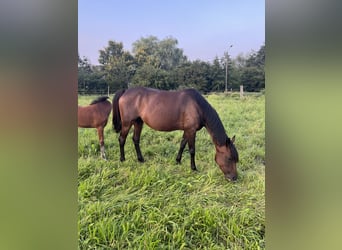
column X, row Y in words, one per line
column 161, row 110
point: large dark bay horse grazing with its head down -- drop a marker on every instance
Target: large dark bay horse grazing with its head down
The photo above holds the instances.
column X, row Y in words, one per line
column 183, row 110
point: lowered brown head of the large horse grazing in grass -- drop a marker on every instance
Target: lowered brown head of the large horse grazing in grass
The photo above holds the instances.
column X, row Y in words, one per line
column 227, row 157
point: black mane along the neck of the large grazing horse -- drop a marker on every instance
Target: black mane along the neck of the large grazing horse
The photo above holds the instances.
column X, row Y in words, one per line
column 211, row 119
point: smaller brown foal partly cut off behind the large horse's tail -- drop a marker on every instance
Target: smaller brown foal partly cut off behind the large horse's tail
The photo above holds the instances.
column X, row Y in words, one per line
column 95, row 115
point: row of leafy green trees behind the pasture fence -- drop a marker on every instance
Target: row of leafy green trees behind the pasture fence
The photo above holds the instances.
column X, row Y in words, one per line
column 161, row 64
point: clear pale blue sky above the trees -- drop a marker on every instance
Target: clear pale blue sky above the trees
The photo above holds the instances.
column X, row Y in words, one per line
column 204, row 29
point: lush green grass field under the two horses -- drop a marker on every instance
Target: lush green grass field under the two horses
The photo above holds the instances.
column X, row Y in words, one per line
column 163, row 205
